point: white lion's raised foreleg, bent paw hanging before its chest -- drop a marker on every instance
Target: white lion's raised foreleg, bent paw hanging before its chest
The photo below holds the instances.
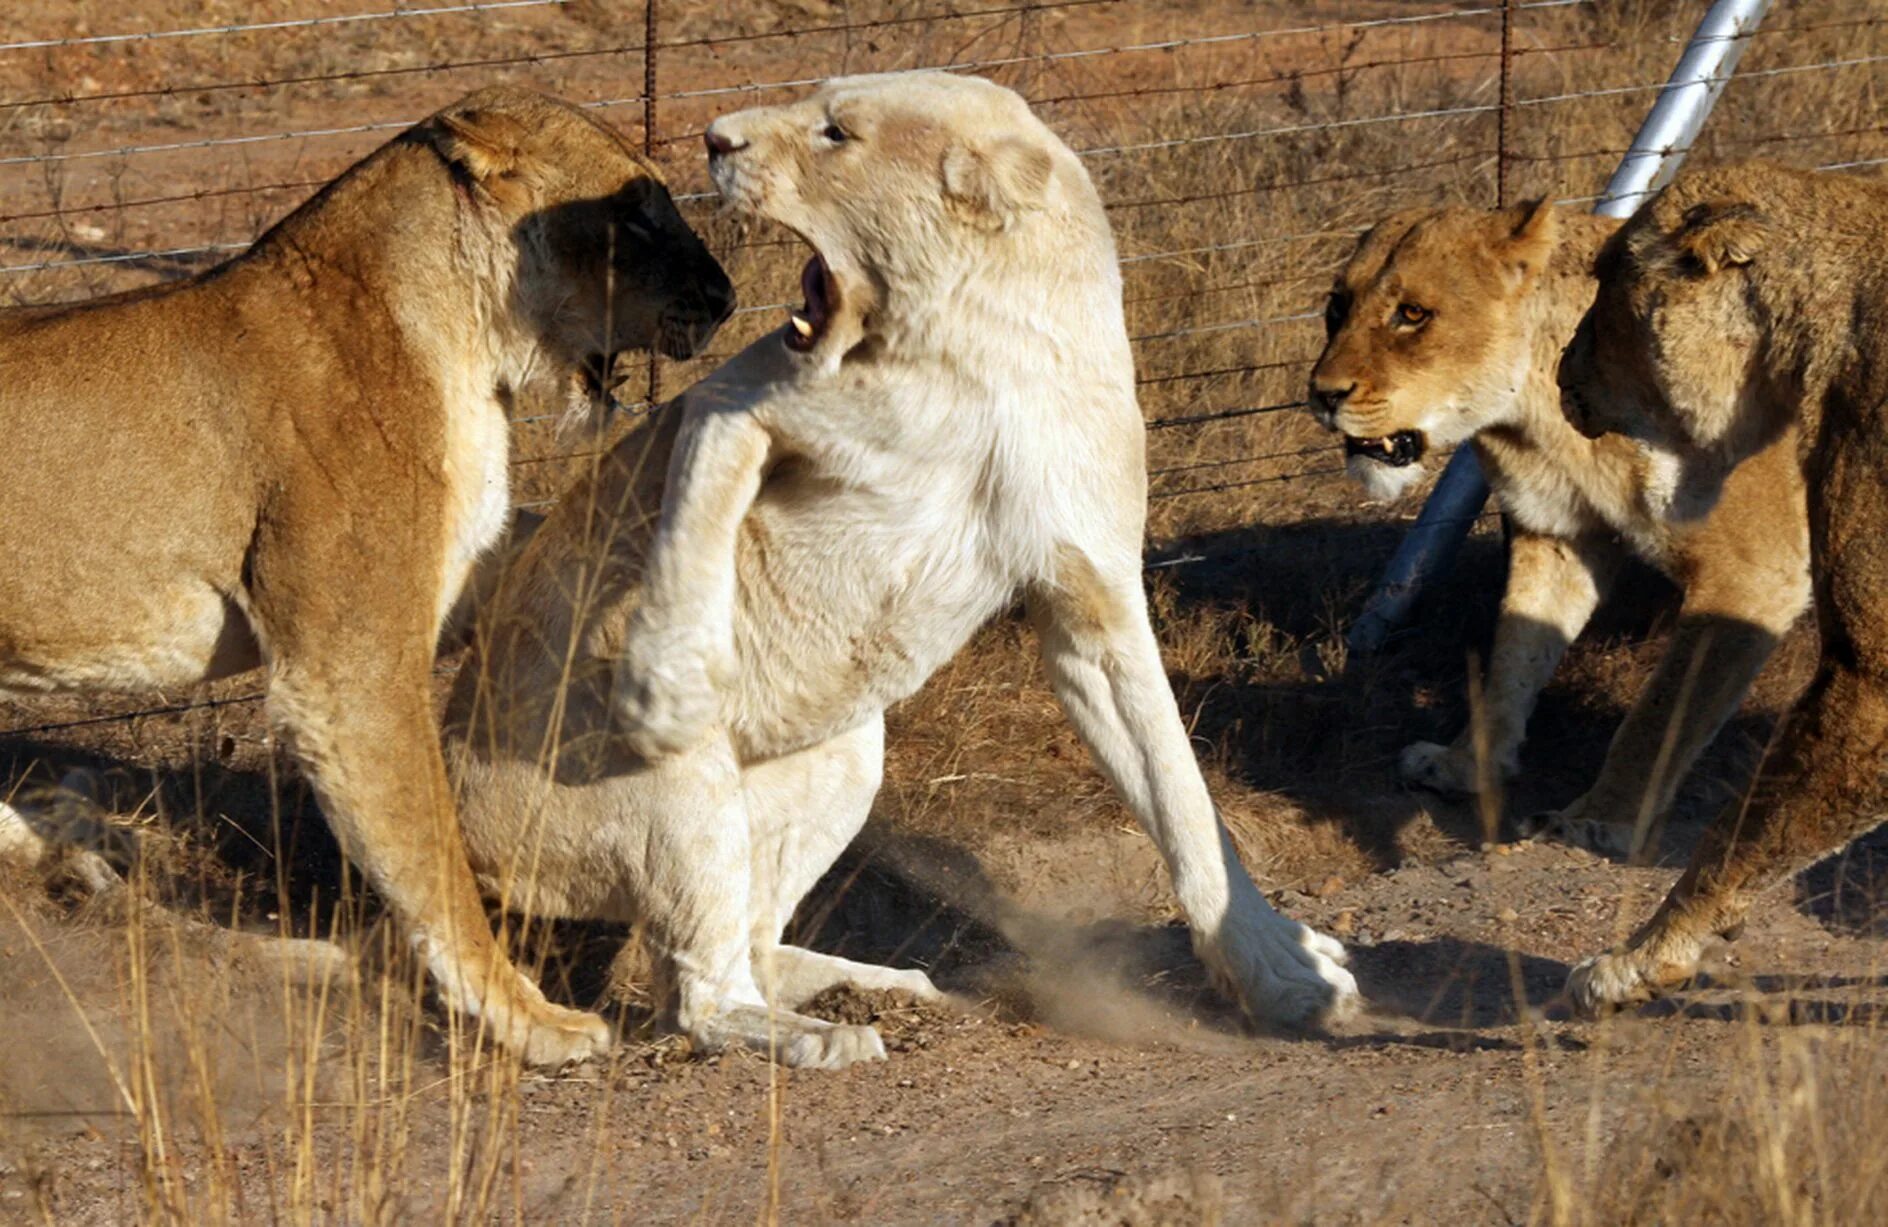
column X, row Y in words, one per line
column 679, row 650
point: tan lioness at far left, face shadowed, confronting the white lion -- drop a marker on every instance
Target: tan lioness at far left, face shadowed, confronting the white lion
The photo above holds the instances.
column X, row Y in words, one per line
column 294, row 462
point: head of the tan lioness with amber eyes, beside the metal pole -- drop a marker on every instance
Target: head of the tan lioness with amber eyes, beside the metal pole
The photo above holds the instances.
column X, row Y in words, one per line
column 1426, row 339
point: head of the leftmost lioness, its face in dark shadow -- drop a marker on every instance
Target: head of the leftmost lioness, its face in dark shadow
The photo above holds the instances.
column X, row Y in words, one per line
column 601, row 260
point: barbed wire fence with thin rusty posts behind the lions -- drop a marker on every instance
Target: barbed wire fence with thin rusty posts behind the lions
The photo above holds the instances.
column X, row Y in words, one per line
column 1241, row 150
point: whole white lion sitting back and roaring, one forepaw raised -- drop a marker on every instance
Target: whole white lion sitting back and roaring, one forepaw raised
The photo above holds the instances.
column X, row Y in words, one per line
column 677, row 707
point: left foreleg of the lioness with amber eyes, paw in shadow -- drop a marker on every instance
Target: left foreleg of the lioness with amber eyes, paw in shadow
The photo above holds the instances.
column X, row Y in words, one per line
column 1555, row 586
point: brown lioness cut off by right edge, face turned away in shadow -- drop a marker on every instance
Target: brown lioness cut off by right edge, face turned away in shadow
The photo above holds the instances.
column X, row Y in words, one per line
column 1742, row 307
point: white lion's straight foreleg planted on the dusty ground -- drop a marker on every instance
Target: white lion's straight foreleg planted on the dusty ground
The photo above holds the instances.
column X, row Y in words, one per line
column 1107, row 673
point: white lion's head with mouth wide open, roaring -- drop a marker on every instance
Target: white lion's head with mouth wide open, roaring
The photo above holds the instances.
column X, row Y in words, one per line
column 913, row 190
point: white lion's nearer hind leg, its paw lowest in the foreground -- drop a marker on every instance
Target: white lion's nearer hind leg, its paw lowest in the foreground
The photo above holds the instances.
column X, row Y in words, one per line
column 698, row 896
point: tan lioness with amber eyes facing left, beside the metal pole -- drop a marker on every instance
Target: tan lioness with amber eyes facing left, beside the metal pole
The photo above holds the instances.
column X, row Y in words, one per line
column 1447, row 326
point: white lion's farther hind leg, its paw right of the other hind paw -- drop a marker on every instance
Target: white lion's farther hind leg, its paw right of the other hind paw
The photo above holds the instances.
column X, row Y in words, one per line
column 803, row 811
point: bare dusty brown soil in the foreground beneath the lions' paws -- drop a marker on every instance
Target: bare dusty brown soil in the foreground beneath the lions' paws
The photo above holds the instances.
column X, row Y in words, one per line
column 1102, row 1058
